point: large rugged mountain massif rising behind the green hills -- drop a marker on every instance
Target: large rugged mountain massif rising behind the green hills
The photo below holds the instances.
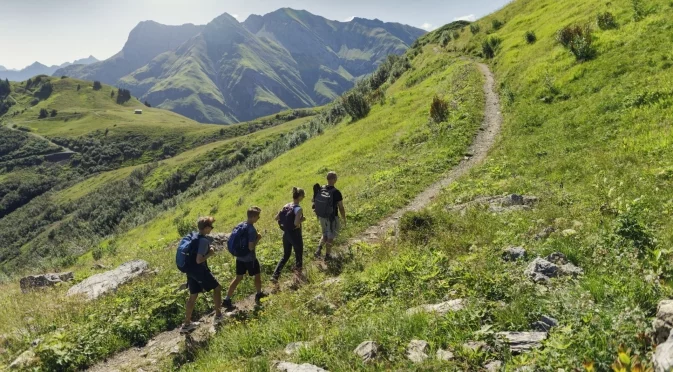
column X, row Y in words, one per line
column 229, row 71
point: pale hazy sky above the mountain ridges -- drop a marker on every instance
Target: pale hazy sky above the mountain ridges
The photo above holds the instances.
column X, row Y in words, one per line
column 56, row 31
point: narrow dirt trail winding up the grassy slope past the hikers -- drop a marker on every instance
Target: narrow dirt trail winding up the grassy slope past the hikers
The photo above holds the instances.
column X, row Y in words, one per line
column 171, row 345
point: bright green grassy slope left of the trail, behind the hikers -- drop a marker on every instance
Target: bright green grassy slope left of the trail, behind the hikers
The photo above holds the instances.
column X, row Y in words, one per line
column 384, row 160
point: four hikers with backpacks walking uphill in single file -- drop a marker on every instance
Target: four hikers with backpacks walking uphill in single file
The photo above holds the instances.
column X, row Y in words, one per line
column 195, row 249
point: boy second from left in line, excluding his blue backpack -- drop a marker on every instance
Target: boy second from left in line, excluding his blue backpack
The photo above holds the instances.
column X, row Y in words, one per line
column 248, row 264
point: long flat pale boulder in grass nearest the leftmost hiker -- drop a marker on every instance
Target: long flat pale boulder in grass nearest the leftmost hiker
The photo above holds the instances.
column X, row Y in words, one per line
column 99, row 284
